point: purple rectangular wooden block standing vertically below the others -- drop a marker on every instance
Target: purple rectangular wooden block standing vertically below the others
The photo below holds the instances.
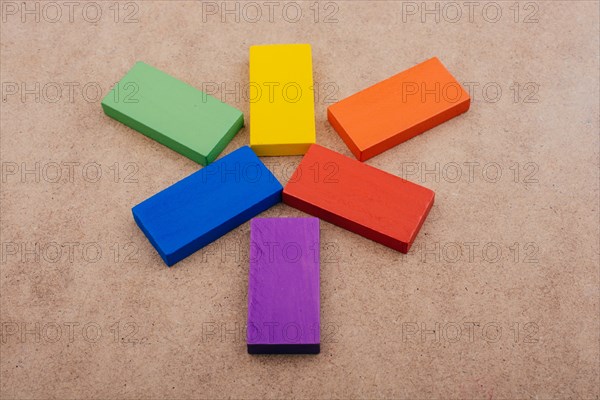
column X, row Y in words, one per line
column 283, row 286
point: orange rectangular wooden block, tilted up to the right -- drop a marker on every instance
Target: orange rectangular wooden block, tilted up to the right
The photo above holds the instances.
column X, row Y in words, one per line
column 397, row 109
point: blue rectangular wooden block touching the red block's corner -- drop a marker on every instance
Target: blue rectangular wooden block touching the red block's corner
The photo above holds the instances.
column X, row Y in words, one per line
column 206, row 205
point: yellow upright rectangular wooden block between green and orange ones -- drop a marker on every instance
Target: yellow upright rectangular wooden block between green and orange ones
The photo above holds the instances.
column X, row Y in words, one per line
column 282, row 105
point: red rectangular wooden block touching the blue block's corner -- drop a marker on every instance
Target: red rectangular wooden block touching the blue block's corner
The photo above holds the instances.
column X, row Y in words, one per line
column 358, row 197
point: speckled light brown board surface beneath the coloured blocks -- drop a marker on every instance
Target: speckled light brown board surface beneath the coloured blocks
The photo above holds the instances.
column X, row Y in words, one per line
column 505, row 269
